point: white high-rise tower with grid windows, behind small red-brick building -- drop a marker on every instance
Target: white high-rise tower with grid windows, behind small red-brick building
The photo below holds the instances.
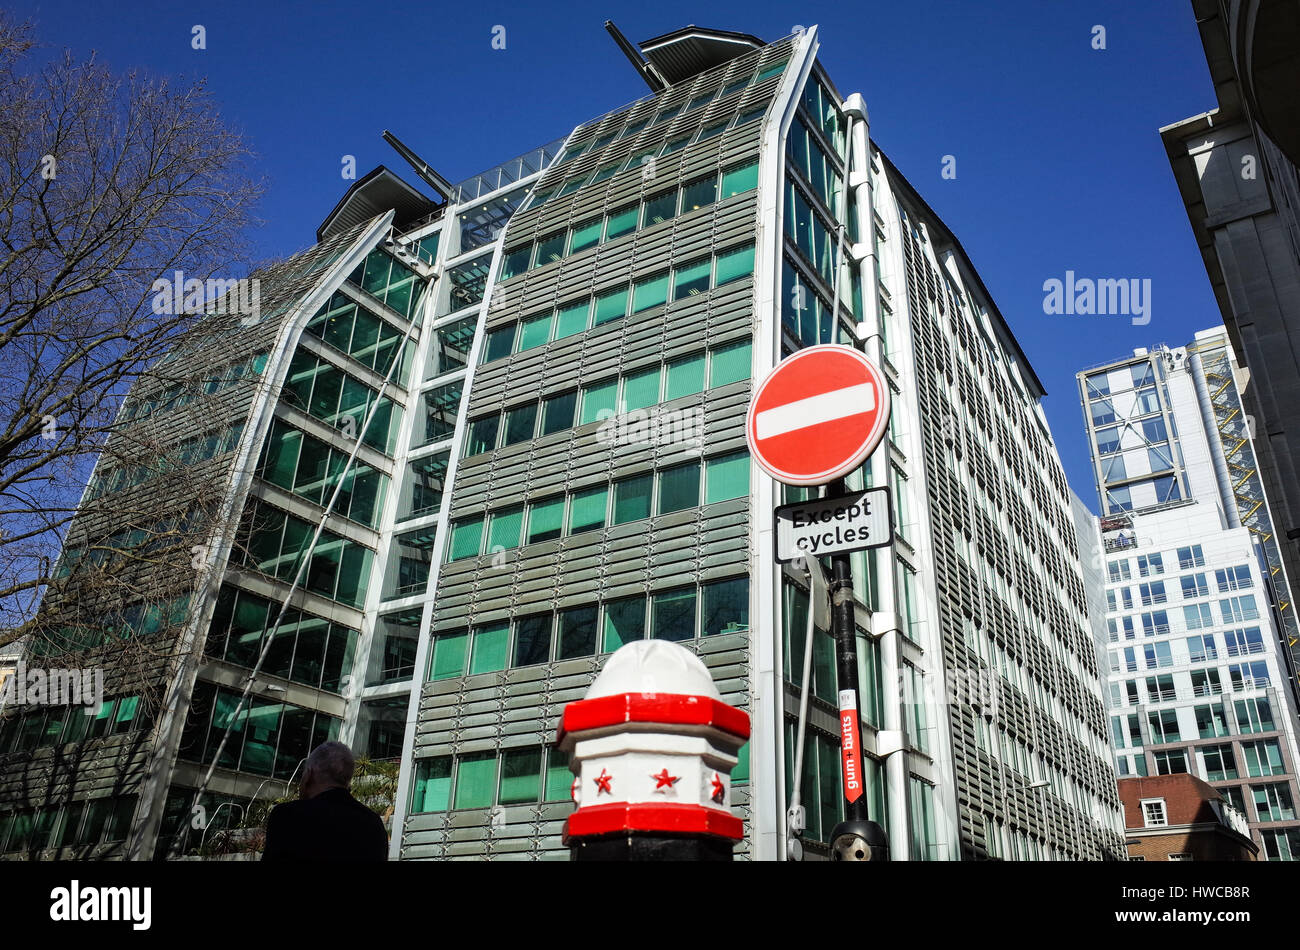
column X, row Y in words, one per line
column 1199, row 678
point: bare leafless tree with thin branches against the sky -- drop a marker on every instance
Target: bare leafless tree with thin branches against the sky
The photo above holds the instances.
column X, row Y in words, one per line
column 109, row 184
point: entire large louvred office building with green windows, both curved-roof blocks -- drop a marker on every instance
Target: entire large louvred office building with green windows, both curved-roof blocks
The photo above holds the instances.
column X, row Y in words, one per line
column 515, row 417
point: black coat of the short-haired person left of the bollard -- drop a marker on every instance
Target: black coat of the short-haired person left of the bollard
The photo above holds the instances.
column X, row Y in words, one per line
column 330, row 827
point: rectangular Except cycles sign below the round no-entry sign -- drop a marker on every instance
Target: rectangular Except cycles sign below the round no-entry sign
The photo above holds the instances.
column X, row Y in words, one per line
column 834, row 526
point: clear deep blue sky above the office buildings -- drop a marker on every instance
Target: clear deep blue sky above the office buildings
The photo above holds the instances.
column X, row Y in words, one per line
column 1059, row 160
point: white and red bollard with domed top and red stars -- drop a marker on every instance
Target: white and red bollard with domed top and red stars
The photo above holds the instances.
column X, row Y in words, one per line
column 653, row 747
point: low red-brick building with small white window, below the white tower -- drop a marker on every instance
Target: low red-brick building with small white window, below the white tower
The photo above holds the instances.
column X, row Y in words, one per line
column 1181, row 818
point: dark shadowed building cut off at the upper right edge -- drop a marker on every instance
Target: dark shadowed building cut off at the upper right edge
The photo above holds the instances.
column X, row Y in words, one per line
column 1237, row 172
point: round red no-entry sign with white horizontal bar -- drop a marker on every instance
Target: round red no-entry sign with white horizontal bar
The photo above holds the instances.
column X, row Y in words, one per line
column 818, row 415
